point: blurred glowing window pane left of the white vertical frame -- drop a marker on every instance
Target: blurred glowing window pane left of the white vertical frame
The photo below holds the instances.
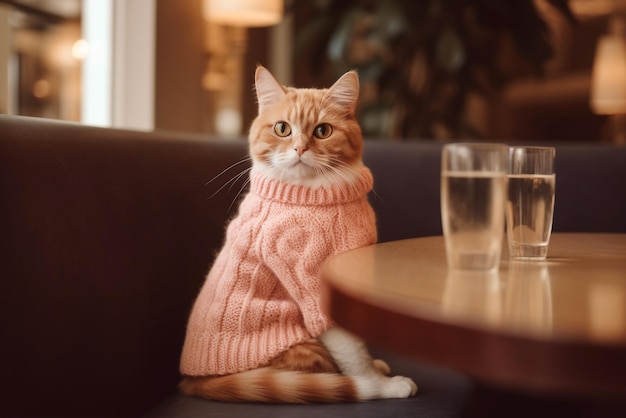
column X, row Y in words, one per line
column 40, row 69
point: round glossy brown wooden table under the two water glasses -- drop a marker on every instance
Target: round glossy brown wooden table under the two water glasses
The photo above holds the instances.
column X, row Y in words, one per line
column 555, row 326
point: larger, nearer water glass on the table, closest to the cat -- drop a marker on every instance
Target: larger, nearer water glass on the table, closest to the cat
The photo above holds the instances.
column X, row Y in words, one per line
column 473, row 196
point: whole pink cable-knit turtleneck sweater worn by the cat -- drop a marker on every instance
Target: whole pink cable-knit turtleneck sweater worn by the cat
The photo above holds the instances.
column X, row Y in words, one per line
column 262, row 294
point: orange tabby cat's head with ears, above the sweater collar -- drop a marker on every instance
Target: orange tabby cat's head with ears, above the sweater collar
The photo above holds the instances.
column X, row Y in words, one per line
column 306, row 136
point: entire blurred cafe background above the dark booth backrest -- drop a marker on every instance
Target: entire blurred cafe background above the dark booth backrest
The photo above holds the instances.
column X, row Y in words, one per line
column 531, row 70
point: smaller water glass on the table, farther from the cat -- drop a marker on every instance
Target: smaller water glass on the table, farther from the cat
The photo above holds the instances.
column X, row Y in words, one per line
column 530, row 202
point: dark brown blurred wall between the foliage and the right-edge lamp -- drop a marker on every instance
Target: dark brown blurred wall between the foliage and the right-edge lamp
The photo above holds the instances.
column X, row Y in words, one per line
column 556, row 106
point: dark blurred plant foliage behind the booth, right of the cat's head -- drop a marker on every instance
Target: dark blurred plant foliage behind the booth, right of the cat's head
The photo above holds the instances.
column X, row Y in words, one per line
column 425, row 58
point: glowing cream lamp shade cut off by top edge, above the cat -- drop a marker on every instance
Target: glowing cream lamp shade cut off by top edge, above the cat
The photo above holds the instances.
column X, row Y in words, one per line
column 250, row 13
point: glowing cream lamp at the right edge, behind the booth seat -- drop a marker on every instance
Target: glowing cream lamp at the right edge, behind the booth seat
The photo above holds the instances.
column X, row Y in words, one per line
column 608, row 84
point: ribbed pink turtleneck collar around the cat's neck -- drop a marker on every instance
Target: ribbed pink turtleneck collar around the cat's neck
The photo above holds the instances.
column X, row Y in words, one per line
column 303, row 195
